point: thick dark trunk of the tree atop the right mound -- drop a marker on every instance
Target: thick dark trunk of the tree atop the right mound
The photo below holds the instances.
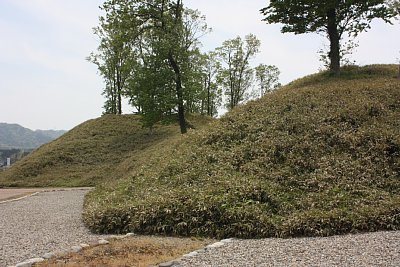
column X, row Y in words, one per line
column 334, row 38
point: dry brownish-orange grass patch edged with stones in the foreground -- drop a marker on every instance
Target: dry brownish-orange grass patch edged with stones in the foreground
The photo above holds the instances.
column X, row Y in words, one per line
column 135, row 251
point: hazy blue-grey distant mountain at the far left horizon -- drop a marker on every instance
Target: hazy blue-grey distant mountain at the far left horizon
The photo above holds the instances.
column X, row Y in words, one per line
column 16, row 136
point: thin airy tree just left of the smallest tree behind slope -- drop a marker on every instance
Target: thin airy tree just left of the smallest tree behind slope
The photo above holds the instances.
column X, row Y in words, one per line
column 236, row 75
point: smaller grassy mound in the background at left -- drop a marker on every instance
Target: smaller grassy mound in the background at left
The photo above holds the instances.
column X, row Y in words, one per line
column 94, row 152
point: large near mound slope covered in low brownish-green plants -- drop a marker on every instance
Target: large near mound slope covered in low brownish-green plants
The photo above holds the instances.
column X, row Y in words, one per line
column 318, row 157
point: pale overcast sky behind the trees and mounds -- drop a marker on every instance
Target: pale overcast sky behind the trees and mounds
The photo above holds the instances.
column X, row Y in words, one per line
column 46, row 83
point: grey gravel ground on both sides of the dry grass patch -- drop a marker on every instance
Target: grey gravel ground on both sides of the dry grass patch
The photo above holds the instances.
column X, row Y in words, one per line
column 50, row 221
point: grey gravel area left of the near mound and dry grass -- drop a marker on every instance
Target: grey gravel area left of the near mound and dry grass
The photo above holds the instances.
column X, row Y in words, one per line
column 46, row 222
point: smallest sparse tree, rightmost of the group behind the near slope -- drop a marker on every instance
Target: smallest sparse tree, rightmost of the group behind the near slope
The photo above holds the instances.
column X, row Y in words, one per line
column 267, row 77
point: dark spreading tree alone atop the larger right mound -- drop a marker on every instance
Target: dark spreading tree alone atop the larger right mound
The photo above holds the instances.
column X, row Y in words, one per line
column 332, row 17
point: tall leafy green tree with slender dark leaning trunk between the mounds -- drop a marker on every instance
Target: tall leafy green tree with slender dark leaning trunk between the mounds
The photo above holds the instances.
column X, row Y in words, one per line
column 164, row 41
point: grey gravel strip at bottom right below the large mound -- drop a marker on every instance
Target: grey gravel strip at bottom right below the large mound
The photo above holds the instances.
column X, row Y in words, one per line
column 371, row 249
